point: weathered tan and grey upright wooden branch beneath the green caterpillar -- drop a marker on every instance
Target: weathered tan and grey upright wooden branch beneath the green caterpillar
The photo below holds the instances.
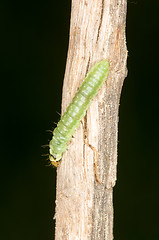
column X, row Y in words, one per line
column 84, row 208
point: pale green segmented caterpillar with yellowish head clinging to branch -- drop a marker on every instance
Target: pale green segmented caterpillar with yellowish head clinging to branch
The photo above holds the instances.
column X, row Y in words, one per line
column 76, row 110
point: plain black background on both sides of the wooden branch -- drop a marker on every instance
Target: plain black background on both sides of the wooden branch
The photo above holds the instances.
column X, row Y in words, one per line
column 33, row 49
